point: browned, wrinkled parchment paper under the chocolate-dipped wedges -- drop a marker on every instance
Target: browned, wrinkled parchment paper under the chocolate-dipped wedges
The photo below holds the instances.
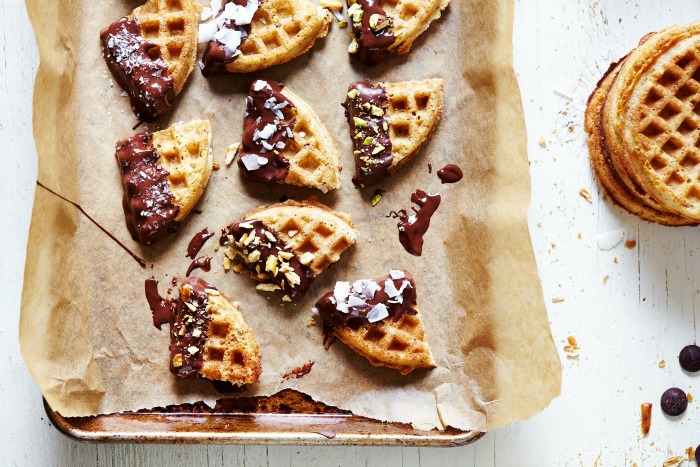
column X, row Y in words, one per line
column 86, row 331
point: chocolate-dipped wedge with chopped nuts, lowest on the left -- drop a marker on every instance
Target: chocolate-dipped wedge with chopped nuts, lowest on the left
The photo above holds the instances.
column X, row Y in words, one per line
column 209, row 337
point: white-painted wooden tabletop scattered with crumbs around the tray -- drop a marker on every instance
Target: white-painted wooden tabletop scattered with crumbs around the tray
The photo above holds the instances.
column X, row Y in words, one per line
column 644, row 313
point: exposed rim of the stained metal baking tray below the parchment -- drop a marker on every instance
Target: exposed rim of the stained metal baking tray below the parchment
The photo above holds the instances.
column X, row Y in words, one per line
column 288, row 417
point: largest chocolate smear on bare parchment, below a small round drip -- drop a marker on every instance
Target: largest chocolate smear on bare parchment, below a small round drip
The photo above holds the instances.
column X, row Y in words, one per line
column 412, row 228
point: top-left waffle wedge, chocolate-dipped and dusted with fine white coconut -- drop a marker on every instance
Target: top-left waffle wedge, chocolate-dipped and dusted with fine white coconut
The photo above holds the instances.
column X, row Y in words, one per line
column 151, row 52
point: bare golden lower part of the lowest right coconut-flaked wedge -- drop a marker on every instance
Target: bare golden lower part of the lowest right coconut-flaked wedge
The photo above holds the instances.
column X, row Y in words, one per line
column 400, row 345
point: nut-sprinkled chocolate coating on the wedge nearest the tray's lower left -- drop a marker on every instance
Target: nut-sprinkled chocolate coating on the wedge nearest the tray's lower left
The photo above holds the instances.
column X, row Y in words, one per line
column 190, row 329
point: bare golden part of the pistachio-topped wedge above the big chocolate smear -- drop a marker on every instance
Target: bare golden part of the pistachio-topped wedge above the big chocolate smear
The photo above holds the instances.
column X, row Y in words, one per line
column 414, row 111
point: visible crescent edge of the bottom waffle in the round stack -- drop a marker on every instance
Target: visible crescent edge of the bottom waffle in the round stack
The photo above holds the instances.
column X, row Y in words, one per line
column 605, row 173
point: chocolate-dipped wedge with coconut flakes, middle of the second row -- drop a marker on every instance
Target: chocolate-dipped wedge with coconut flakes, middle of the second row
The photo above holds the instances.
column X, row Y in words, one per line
column 285, row 142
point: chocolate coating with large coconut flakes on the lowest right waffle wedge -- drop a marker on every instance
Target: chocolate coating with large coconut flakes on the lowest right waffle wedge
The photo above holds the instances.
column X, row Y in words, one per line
column 367, row 301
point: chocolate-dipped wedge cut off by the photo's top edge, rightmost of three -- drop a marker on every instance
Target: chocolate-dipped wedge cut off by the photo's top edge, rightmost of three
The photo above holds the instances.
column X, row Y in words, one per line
column 380, row 27
